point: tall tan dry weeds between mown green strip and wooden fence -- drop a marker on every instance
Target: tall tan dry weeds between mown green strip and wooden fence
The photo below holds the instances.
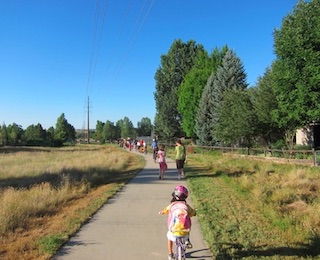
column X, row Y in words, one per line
column 291, row 192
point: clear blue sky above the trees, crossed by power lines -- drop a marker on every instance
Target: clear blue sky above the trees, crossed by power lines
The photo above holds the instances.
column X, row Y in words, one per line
column 55, row 54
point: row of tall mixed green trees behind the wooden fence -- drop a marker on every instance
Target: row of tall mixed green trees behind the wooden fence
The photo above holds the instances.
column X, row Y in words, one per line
column 206, row 96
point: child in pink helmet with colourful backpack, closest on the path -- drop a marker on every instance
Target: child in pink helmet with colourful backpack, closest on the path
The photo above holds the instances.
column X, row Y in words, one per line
column 179, row 222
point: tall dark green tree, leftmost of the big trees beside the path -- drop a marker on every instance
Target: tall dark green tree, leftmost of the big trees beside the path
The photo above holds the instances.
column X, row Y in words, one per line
column 174, row 66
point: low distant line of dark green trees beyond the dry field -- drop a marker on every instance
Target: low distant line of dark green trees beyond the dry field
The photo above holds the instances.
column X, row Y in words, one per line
column 64, row 132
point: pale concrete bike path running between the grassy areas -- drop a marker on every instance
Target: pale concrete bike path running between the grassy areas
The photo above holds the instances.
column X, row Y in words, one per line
column 128, row 226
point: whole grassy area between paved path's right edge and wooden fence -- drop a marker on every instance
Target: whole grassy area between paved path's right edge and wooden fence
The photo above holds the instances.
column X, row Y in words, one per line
column 255, row 210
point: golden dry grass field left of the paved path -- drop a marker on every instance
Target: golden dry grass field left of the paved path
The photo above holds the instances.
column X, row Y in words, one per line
column 46, row 194
